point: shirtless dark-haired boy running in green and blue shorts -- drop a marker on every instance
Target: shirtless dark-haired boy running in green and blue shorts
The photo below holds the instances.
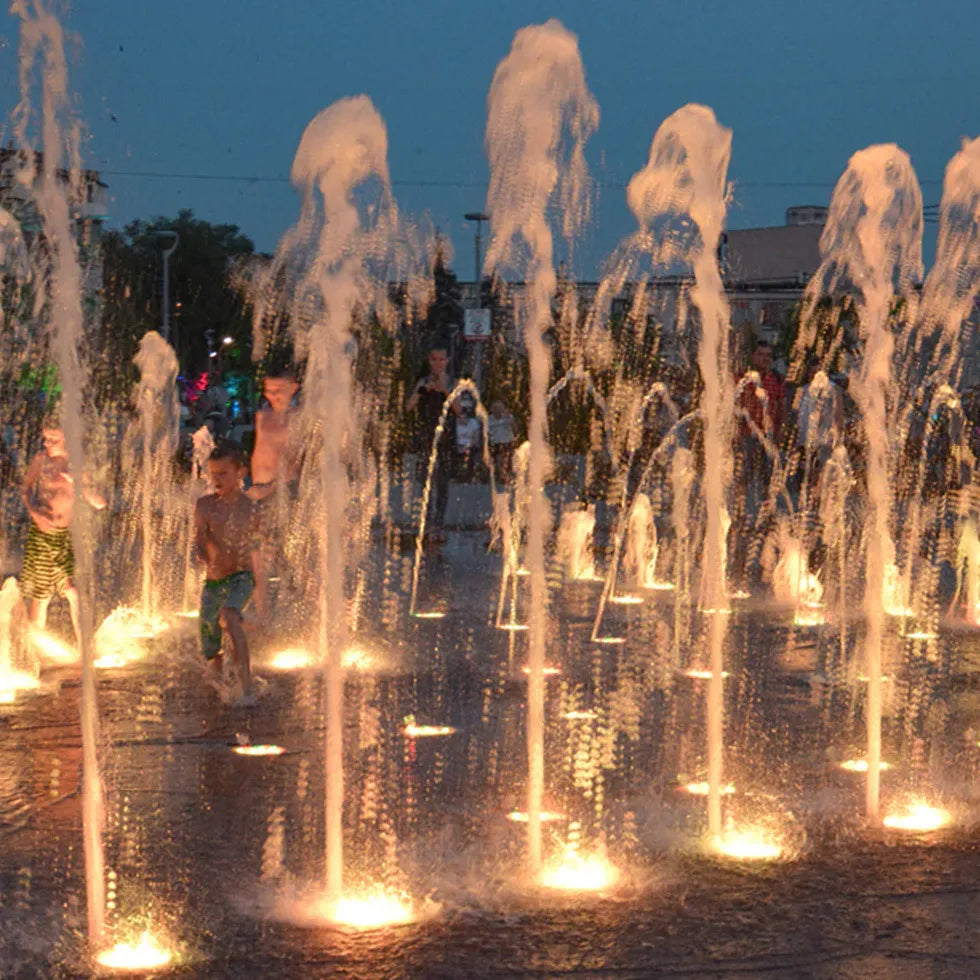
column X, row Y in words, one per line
column 228, row 540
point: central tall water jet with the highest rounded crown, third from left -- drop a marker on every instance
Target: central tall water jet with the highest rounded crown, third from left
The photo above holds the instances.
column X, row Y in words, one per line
column 537, row 92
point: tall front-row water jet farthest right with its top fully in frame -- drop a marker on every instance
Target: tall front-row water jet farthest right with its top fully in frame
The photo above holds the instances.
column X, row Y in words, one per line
column 871, row 248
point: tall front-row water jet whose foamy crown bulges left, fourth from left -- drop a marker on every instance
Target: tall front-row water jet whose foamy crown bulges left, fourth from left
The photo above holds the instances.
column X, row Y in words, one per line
column 679, row 200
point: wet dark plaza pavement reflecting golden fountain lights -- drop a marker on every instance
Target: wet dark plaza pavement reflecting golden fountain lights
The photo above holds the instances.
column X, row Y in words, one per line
column 200, row 841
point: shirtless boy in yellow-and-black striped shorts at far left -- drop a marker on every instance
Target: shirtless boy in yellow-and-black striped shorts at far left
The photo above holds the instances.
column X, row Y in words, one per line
column 48, row 493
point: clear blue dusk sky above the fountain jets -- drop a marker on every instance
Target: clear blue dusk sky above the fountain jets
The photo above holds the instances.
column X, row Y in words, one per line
column 184, row 98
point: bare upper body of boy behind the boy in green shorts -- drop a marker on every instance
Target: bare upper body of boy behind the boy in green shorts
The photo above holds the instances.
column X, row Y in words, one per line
column 275, row 459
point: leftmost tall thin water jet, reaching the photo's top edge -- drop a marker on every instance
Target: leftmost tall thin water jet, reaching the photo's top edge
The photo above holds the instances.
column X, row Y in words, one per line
column 41, row 38
